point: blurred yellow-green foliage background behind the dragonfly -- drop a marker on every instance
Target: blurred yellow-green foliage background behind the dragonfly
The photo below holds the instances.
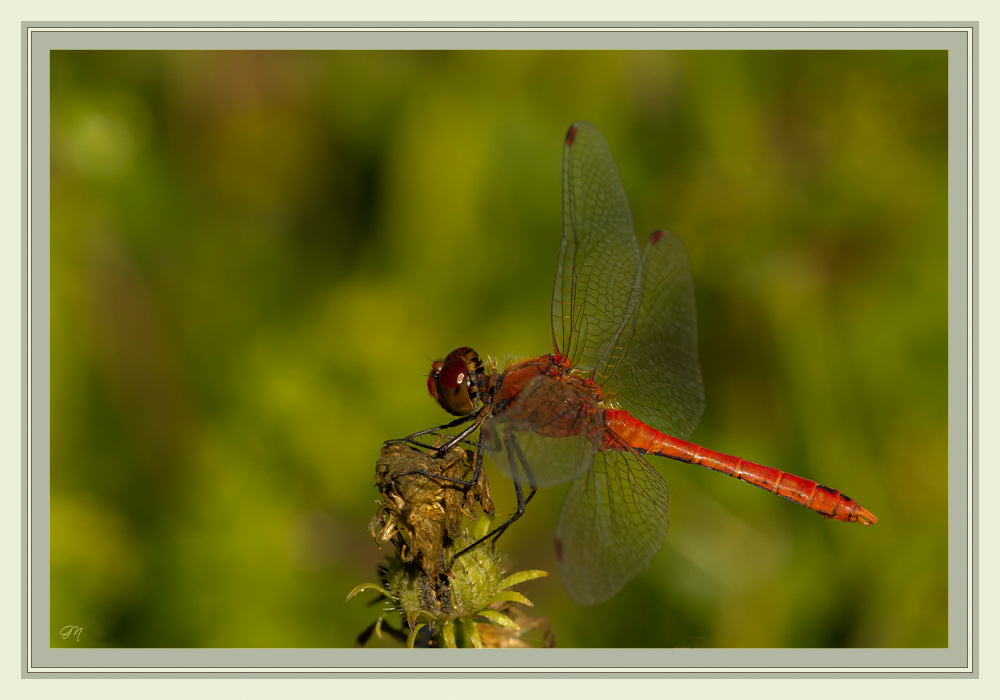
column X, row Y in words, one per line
column 256, row 255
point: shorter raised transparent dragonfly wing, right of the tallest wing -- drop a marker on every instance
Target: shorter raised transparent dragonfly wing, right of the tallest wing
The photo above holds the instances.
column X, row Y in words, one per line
column 658, row 379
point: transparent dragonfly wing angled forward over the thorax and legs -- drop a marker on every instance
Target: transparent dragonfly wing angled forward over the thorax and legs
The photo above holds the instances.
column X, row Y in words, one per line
column 557, row 429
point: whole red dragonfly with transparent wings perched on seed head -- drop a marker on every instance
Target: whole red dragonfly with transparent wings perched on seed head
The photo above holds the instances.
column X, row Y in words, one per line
column 622, row 382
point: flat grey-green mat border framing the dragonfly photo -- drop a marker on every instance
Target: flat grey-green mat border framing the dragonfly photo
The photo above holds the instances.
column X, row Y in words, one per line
column 961, row 655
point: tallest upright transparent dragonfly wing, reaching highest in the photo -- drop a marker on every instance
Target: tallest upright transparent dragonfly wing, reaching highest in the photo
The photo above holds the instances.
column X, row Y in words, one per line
column 597, row 281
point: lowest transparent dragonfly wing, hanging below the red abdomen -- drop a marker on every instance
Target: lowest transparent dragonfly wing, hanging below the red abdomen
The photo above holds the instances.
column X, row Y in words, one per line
column 613, row 521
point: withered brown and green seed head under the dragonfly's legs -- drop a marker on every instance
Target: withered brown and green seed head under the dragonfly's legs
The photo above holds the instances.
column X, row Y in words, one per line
column 423, row 517
